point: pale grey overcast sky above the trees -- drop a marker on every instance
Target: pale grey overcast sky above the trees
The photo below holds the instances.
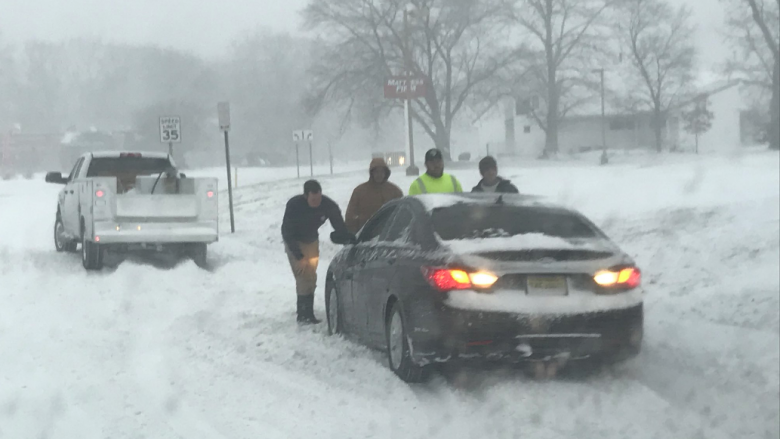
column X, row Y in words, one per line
column 206, row 27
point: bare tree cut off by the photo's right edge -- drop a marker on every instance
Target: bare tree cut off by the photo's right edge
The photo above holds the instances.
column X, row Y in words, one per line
column 754, row 30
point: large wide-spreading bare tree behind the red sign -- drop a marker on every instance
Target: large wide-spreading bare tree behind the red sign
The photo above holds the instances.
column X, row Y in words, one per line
column 459, row 46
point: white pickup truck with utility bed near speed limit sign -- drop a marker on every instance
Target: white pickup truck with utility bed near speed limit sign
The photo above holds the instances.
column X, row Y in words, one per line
column 122, row 201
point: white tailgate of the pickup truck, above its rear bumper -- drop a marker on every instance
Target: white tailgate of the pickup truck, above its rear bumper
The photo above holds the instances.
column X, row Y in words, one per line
column 155, row 207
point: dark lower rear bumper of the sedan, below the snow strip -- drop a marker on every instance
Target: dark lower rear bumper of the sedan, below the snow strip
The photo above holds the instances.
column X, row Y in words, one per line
column 474, row 335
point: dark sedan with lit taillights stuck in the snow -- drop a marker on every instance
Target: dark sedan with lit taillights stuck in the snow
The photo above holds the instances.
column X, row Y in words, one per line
column 451, row 277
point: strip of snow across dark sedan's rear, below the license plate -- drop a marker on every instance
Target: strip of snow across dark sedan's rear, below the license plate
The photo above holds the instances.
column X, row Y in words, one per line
column 511, row 301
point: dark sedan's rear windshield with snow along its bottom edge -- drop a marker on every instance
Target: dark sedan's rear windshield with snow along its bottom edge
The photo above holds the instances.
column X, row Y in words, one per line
column 470, row 221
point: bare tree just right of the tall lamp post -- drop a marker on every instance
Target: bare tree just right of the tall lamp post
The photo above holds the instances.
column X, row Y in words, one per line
column 660, row 42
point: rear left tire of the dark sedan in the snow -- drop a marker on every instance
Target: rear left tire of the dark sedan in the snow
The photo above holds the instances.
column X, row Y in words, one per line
column 398, row 353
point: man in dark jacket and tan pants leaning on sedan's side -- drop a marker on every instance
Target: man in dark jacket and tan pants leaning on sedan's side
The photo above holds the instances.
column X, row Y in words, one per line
column 303, row 217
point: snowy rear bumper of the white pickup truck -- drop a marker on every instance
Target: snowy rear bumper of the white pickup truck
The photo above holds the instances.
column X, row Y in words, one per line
column 156, row 233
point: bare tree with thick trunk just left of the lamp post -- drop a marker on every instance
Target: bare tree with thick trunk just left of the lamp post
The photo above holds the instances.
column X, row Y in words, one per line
column 567, row 41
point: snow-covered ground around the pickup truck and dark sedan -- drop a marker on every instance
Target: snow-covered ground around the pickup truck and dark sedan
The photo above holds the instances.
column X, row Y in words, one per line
column 151, row 350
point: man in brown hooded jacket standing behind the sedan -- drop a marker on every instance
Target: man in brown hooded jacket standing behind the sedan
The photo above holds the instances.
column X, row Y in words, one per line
column 371, row 195
